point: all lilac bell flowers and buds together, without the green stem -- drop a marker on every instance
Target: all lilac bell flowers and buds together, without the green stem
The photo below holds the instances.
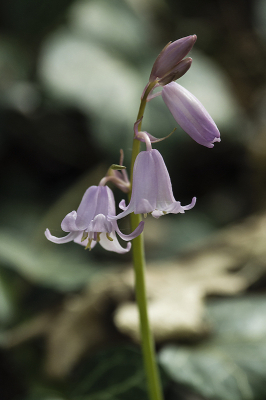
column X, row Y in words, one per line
column 95, row 219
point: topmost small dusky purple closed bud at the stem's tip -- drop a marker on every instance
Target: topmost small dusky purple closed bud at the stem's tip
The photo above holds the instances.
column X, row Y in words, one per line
column 170, row 56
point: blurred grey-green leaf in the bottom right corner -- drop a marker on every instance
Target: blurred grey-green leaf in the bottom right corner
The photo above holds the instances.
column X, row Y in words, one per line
column 232, row 363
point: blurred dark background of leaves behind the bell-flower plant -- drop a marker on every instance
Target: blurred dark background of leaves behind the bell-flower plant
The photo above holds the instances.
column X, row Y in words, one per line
column 71, row 76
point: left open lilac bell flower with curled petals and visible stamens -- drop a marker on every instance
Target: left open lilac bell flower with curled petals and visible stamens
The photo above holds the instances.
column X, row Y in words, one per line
column 91, row 223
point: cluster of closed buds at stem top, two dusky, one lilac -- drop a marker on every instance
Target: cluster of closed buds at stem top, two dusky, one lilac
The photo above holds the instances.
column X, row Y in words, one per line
column 187, row 110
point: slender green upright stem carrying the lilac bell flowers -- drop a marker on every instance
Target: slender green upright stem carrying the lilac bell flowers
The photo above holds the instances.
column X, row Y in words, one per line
column 148, row 348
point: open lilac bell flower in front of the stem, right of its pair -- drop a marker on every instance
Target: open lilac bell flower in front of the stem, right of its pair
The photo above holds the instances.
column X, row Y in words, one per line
column 152, row 188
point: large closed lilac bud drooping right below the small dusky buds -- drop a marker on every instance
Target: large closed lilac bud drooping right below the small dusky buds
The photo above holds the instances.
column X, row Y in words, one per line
column 190, row 114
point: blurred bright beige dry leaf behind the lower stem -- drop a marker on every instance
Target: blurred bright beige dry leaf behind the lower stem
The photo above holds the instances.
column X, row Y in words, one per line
column 176, row 293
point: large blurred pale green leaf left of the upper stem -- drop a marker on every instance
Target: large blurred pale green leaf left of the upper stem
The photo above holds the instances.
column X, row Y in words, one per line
column 89, row 76
